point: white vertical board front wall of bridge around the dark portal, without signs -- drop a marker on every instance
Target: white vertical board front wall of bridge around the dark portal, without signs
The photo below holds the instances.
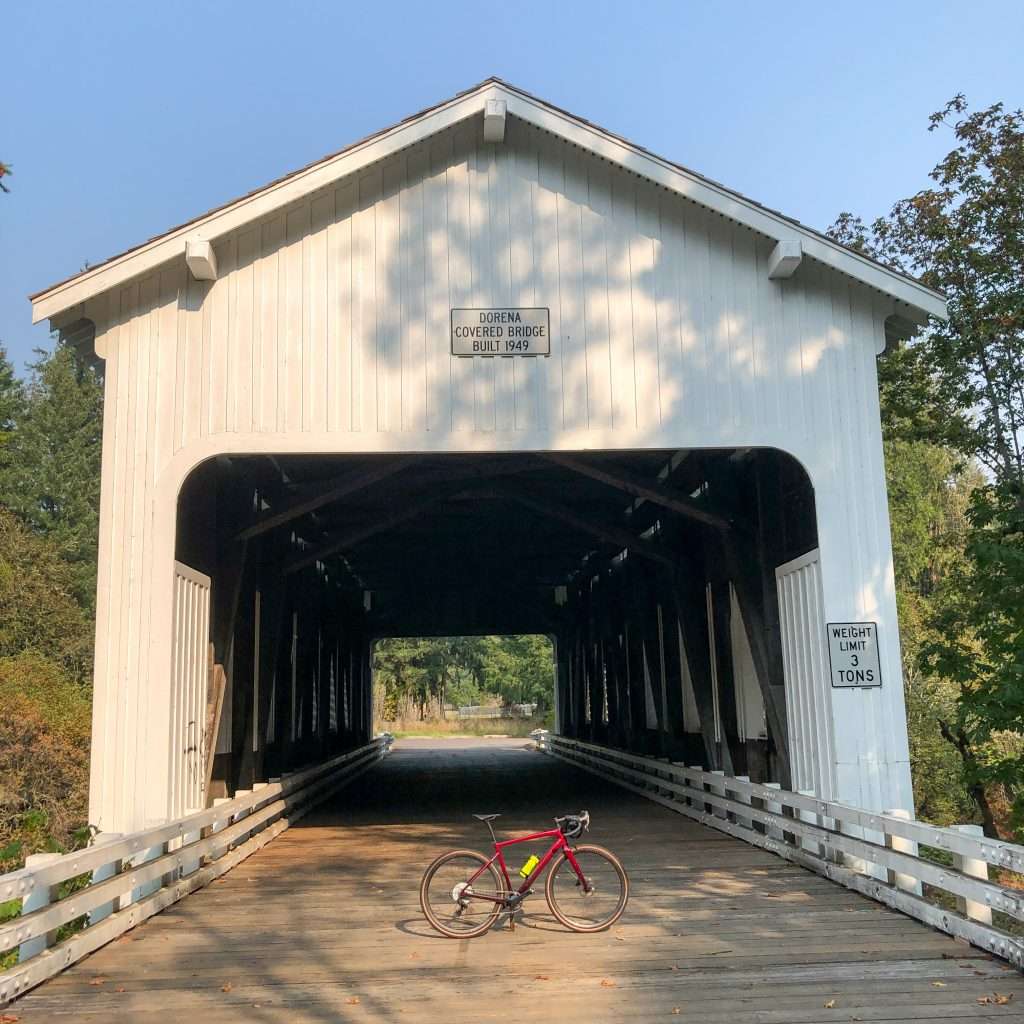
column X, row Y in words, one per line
column 327, row 331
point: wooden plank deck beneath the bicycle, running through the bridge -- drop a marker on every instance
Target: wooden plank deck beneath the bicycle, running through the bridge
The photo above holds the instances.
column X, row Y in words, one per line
column 324, row 925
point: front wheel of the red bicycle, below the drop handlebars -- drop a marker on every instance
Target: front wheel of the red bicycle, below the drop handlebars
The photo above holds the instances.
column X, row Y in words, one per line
column 596, row 902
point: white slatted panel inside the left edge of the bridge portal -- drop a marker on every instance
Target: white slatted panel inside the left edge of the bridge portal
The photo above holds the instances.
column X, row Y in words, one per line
column 191, row 632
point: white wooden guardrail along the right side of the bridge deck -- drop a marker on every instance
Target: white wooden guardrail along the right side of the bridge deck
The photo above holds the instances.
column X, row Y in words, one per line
column 876, row 855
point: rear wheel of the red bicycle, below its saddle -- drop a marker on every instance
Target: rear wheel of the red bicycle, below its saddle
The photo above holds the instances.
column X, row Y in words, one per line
column 453, row 905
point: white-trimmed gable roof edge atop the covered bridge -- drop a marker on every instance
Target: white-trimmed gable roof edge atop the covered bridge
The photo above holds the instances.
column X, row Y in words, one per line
column 917, row 298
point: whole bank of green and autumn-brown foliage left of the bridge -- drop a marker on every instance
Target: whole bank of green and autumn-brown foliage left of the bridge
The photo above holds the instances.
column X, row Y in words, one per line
column 50, row 475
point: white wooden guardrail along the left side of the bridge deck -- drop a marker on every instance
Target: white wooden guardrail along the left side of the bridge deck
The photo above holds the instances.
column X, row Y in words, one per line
column 127, row 879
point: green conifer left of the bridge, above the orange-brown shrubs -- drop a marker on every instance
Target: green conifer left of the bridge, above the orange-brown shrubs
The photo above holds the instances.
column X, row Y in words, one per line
column 50, row 476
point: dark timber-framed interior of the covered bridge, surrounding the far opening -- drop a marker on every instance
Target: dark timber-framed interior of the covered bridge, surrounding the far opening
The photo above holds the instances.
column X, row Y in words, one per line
column 677, row 588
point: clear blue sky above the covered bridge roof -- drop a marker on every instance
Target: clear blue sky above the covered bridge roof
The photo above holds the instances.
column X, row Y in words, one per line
column 121, row 120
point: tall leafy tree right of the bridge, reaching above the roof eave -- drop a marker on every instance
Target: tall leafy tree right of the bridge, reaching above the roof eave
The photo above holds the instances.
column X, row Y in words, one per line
column 961, row 386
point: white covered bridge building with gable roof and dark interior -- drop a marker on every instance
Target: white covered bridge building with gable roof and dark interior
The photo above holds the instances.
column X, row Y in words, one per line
column 493, row 369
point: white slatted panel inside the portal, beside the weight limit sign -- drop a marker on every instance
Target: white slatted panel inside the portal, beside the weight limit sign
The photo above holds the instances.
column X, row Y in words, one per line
column 807, row 681
